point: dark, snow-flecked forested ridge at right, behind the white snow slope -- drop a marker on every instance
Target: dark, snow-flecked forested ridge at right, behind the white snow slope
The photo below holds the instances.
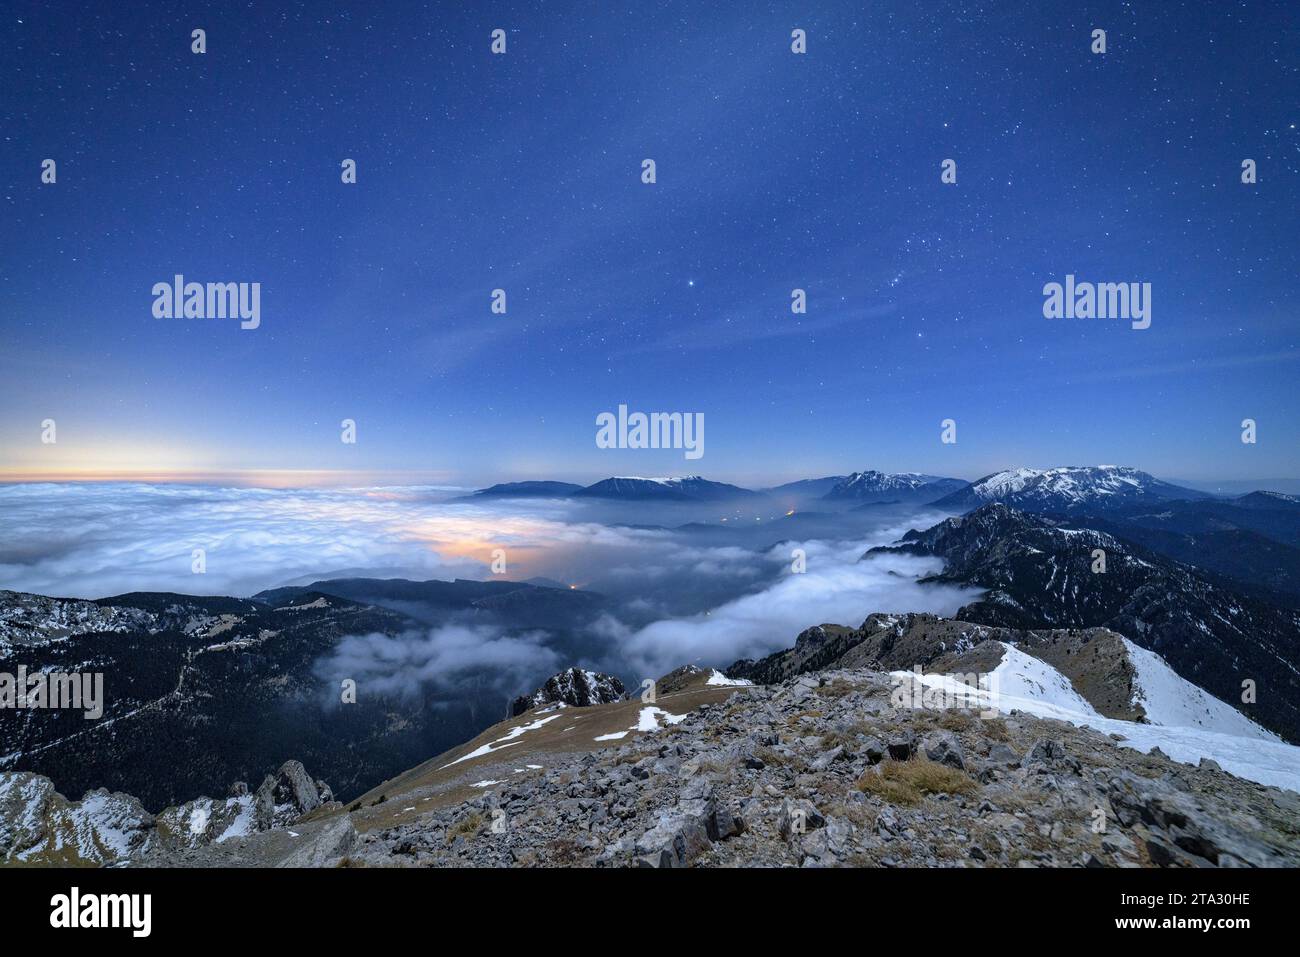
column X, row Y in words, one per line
column 1039, row 575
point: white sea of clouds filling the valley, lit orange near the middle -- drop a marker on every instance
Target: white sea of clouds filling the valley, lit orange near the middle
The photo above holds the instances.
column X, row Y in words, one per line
column 674, row 597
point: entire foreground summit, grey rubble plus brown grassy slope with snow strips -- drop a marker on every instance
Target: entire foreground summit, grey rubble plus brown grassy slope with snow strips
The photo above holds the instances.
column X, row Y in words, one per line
column 818, row 770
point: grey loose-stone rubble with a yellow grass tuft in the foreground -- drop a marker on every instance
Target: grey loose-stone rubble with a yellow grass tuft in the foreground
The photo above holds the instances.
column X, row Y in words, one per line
column 822, row 770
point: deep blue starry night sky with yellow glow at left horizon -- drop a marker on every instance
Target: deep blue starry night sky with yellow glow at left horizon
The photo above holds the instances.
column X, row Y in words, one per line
column 775, row 171
